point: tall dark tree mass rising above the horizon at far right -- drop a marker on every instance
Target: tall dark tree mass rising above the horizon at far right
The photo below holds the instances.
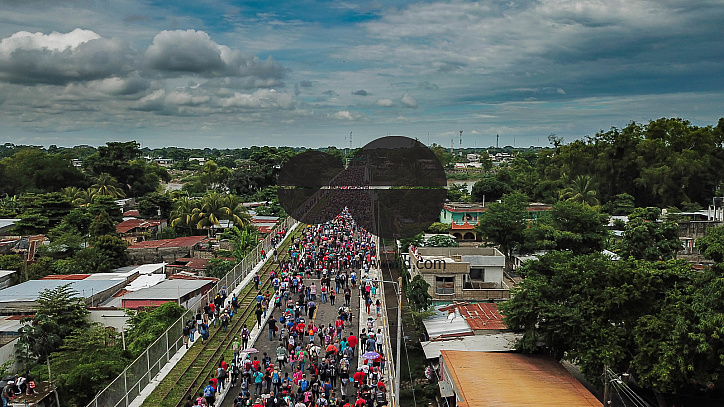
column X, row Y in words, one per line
column 665, row 162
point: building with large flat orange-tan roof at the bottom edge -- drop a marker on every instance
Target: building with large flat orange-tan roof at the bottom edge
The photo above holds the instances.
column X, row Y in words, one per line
column 480, row 379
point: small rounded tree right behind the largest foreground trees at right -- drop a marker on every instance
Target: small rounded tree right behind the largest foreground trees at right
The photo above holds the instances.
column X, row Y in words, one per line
column 647, row 237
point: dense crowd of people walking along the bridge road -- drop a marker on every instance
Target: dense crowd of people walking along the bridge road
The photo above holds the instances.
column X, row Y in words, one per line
column 315, row 362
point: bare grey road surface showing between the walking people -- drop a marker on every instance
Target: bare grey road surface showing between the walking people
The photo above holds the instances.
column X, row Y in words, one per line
column 325, row 314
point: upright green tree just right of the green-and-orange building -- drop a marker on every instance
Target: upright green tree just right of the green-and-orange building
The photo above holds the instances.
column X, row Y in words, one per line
column 504, row 223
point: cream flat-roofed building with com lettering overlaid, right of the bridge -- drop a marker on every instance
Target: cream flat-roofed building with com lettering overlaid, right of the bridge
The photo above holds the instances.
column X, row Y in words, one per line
column 461, row 273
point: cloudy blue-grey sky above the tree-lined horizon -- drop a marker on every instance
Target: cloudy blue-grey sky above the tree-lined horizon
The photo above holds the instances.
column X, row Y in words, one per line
column 232, row 74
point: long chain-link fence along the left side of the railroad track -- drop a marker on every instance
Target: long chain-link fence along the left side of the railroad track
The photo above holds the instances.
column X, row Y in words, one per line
column 128, row 385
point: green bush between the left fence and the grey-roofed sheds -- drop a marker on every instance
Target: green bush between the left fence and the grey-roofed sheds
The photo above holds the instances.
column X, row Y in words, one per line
column 146, row 325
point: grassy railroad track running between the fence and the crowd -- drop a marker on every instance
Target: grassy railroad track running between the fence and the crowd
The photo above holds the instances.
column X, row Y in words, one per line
column 193, row 377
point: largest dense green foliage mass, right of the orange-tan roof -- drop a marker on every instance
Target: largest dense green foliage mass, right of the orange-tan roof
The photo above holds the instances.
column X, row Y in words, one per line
column 633, row 315
